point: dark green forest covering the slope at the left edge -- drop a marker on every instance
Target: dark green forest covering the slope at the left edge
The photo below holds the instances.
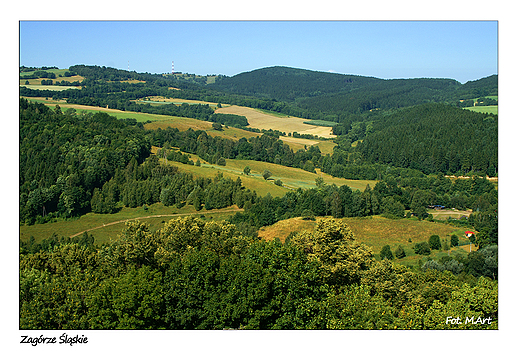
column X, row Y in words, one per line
column 71, row 164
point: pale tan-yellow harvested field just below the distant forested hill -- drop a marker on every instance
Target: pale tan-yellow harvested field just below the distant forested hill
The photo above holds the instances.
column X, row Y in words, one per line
column 262, row 120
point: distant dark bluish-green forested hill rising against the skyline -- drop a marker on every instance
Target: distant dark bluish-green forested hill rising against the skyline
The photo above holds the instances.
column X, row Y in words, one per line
column 331, row 96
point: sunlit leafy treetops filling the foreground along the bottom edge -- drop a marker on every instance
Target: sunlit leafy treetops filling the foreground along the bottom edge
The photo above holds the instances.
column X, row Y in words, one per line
column 193, row 274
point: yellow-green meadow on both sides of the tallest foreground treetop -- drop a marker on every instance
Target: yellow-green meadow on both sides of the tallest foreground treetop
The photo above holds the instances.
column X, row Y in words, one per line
column 377, row 231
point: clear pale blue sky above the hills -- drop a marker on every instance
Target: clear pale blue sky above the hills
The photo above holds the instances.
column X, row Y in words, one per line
column 461, row 50
